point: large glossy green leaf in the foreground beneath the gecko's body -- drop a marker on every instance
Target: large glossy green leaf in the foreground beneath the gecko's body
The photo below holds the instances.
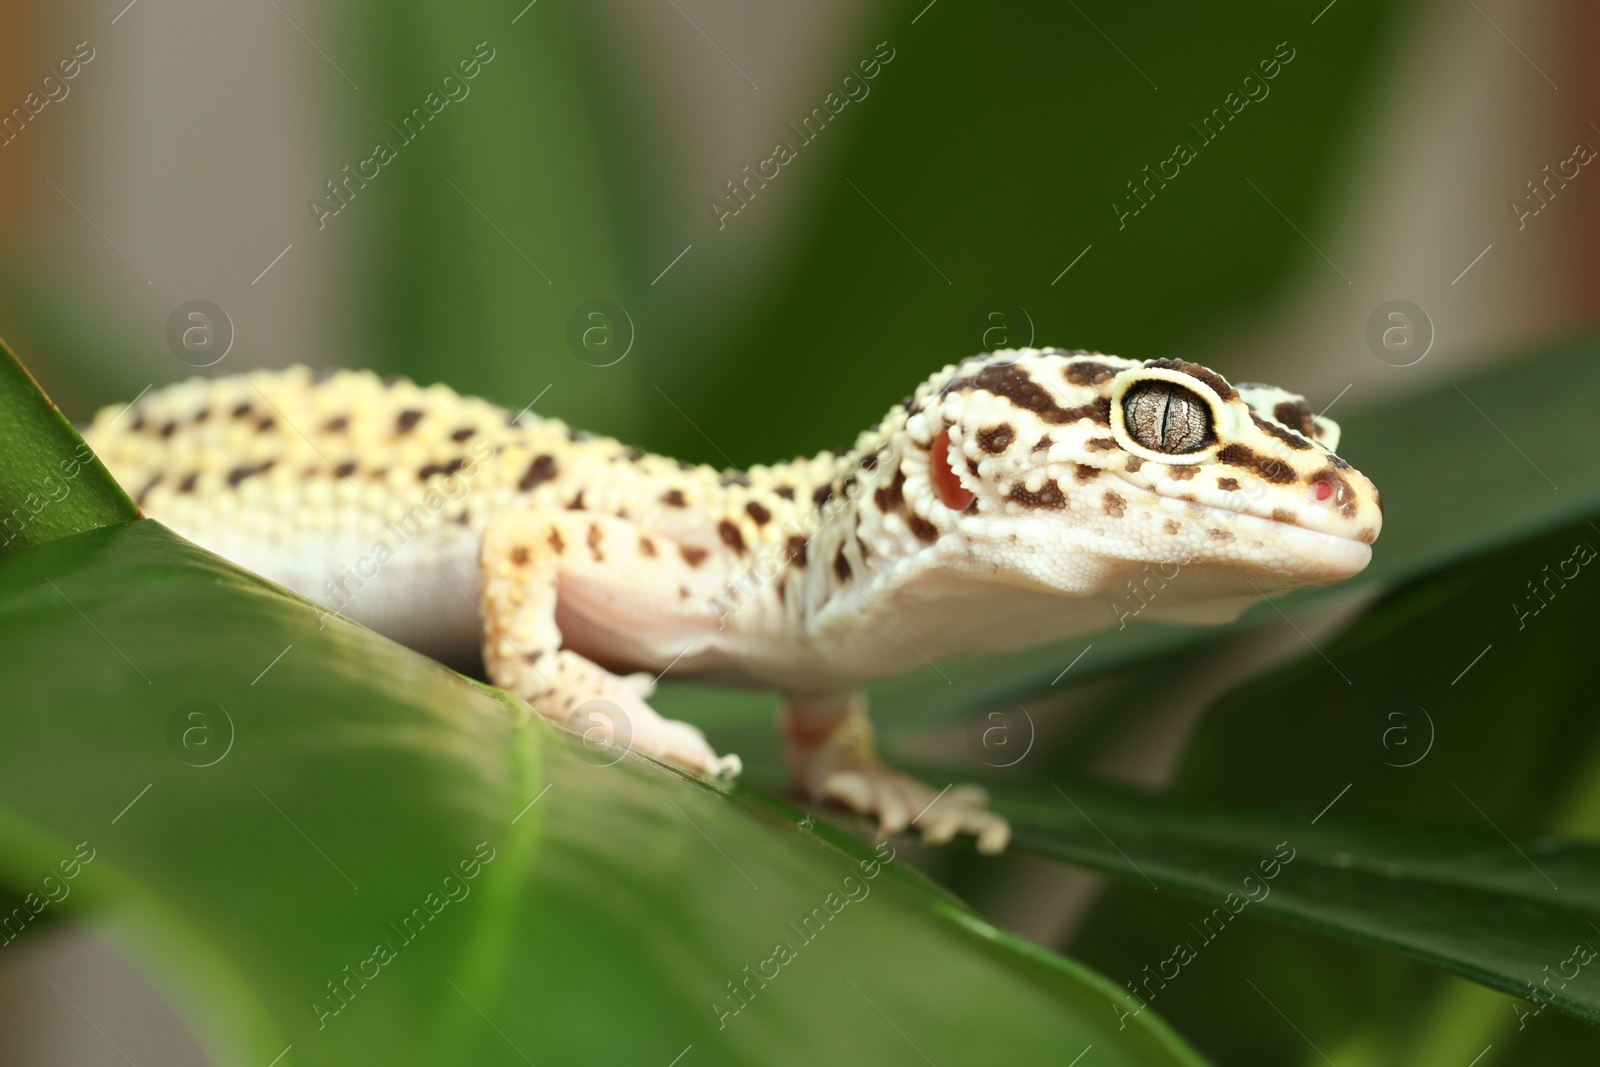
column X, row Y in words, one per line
column 270, row 794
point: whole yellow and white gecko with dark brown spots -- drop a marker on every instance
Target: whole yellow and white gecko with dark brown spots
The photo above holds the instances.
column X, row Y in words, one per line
column 1012, row 500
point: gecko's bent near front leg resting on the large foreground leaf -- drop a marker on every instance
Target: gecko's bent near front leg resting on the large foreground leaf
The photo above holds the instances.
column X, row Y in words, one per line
column 615, row 572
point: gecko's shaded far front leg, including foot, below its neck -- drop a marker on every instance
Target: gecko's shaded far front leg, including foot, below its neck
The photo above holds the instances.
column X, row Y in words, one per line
column 833, row 757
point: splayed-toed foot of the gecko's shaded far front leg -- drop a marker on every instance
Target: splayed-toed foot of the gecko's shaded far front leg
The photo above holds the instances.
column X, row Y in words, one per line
column 900, row 802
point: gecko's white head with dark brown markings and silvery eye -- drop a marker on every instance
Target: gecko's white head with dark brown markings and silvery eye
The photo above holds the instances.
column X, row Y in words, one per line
column 1070, row 471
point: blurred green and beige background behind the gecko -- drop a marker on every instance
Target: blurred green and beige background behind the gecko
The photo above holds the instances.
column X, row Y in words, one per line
column 738, row 233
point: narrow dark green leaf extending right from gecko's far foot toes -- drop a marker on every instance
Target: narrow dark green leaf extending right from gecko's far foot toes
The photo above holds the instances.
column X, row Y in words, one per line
column 1471, row 903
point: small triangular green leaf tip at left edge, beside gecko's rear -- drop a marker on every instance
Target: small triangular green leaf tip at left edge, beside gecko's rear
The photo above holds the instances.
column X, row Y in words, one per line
column 52, row 486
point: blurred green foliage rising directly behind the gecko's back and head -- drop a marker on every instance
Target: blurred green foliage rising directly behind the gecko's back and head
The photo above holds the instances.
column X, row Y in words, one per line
column 996, row 142
